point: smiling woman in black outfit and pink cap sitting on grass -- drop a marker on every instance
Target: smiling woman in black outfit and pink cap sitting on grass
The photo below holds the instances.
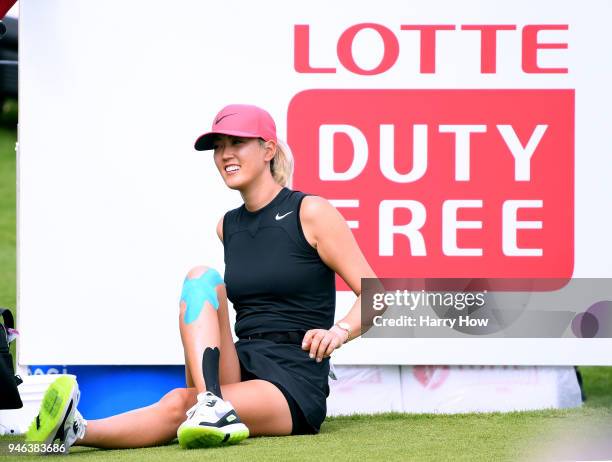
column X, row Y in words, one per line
column 282, row 251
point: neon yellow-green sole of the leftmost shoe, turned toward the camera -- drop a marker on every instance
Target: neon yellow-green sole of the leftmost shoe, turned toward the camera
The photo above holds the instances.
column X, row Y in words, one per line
column 60, row 398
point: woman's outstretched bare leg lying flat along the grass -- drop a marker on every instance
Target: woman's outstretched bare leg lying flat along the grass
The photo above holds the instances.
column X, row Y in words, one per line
column 260, row 405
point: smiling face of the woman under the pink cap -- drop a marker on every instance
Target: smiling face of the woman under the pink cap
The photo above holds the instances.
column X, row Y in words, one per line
column 240, row 160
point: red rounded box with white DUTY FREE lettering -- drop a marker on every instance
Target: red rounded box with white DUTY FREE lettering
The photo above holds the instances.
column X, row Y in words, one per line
column 444, row 183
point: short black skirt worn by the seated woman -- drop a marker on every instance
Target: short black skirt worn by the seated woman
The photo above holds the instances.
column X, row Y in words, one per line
column 302, row 380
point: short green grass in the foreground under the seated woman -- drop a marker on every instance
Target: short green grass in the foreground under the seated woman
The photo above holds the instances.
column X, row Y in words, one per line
column 471, row 437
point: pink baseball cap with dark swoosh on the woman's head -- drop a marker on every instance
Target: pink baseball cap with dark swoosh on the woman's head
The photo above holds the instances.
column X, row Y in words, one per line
column 239, row 120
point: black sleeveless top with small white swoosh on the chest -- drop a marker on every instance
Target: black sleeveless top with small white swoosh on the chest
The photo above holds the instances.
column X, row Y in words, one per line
column 273, row 276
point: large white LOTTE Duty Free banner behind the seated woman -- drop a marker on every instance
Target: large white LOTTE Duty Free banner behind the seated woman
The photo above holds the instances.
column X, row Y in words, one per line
column 115, row 206
